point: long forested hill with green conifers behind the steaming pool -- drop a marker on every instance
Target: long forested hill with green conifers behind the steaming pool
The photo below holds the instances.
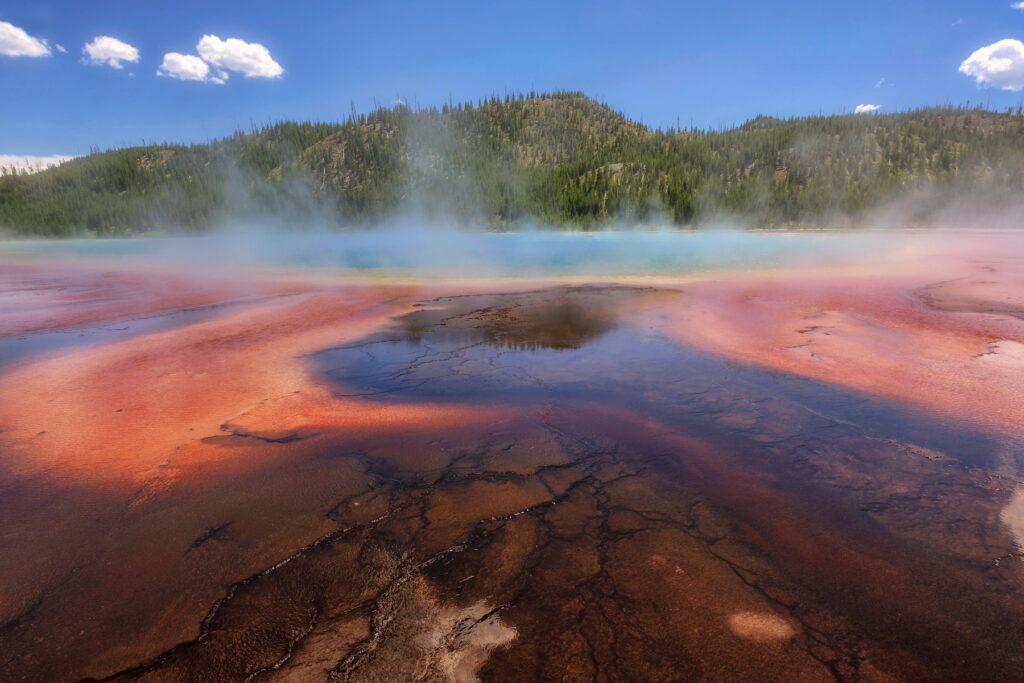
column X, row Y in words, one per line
column 561, row 159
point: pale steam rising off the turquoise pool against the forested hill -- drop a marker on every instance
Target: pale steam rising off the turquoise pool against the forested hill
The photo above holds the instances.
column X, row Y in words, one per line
column 286, row 222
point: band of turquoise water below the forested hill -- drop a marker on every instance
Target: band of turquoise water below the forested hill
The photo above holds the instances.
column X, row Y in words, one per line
column 450, row 252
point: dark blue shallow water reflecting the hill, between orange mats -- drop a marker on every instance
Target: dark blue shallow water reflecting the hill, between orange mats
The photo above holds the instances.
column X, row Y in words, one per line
column 593, row 345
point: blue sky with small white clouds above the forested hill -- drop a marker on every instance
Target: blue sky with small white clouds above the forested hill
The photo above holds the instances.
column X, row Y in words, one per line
column 78, row 76
